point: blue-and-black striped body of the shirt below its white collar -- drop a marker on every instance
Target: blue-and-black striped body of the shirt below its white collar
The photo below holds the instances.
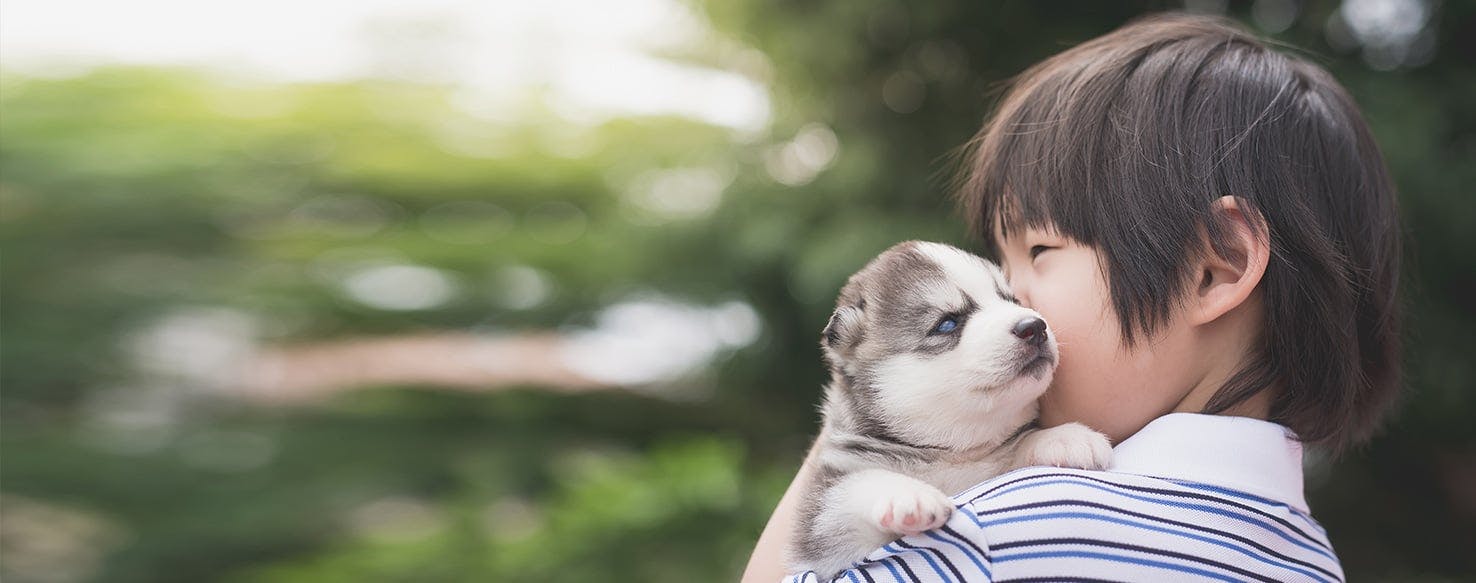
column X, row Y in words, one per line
column 1061, row 525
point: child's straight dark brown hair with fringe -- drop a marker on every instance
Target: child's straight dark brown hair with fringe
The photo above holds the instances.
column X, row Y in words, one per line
column 1124, row 144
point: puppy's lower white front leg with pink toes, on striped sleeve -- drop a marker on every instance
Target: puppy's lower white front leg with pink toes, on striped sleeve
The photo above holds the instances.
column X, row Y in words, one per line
column 867, row 510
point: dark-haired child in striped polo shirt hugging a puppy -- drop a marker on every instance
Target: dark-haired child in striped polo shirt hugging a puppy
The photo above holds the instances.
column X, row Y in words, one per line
column 1211, row 232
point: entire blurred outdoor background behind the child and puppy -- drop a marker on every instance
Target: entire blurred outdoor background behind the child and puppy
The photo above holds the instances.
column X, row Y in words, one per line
column 452, row 291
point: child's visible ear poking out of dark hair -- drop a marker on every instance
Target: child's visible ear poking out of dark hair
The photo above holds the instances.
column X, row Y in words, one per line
column 1227, row 277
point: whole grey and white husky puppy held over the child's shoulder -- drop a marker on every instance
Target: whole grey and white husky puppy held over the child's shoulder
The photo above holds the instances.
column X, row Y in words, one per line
column 935, row 376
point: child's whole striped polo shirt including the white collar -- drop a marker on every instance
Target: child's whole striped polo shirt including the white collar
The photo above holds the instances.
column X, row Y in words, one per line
column 1189, row 498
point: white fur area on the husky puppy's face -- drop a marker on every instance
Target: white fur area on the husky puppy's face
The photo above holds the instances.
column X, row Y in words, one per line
column 973, row 393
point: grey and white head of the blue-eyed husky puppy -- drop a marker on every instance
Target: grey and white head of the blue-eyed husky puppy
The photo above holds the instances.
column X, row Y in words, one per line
column 935, row 349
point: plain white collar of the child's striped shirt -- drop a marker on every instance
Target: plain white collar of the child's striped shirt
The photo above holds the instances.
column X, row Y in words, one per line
column 1242, row 454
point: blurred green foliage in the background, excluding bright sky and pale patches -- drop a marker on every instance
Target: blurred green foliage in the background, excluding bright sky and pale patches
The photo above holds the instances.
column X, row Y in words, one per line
column 131, row 194
